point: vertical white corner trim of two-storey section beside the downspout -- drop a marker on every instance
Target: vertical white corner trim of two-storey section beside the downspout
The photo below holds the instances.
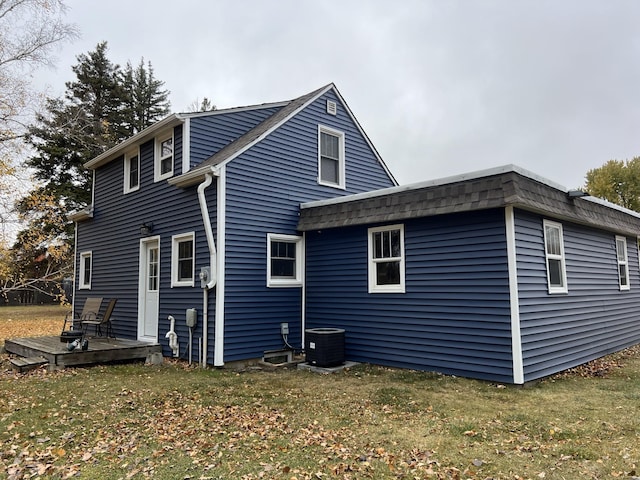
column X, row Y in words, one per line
column 218, row 347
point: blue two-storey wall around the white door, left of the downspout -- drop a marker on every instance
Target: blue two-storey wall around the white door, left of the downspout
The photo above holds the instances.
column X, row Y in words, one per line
column 113, row 236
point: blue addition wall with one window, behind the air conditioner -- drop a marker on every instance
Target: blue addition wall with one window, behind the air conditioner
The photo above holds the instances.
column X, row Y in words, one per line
column 454, row 317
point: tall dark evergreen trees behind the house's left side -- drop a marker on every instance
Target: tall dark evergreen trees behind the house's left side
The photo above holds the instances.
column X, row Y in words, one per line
column 101, row 107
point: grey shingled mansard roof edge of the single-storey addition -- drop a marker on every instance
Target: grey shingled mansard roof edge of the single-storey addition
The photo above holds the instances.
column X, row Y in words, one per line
column 495, row 188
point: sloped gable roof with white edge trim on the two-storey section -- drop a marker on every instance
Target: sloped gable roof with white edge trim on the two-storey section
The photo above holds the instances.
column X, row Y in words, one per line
column 262, row 130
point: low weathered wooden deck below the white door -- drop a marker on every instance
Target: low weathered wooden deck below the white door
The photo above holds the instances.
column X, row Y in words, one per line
column 101, row 350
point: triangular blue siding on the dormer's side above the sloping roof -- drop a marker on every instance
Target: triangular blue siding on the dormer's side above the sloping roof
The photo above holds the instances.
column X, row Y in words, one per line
column 211, row 133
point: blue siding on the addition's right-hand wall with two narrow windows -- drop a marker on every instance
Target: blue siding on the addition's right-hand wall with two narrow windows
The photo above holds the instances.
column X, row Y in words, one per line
column 594, row 318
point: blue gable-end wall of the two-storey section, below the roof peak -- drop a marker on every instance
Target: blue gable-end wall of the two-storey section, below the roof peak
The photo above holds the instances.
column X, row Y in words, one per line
column 265, row 186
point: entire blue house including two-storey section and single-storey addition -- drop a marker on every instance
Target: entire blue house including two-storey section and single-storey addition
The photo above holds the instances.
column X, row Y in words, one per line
column 233, row 222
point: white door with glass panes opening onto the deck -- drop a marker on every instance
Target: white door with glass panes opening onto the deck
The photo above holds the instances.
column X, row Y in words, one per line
column 148, row 290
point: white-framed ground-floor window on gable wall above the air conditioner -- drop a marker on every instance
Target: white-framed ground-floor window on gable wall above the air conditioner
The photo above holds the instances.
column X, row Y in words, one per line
column 284, row 260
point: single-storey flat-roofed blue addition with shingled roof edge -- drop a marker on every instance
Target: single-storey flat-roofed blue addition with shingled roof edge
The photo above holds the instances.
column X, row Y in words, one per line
column 498, row 275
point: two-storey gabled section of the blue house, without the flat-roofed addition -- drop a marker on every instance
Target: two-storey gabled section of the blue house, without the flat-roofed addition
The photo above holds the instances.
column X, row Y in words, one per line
column 199, row 211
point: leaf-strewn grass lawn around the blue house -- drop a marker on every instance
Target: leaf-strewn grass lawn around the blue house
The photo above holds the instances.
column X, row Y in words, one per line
column 178, row 422
